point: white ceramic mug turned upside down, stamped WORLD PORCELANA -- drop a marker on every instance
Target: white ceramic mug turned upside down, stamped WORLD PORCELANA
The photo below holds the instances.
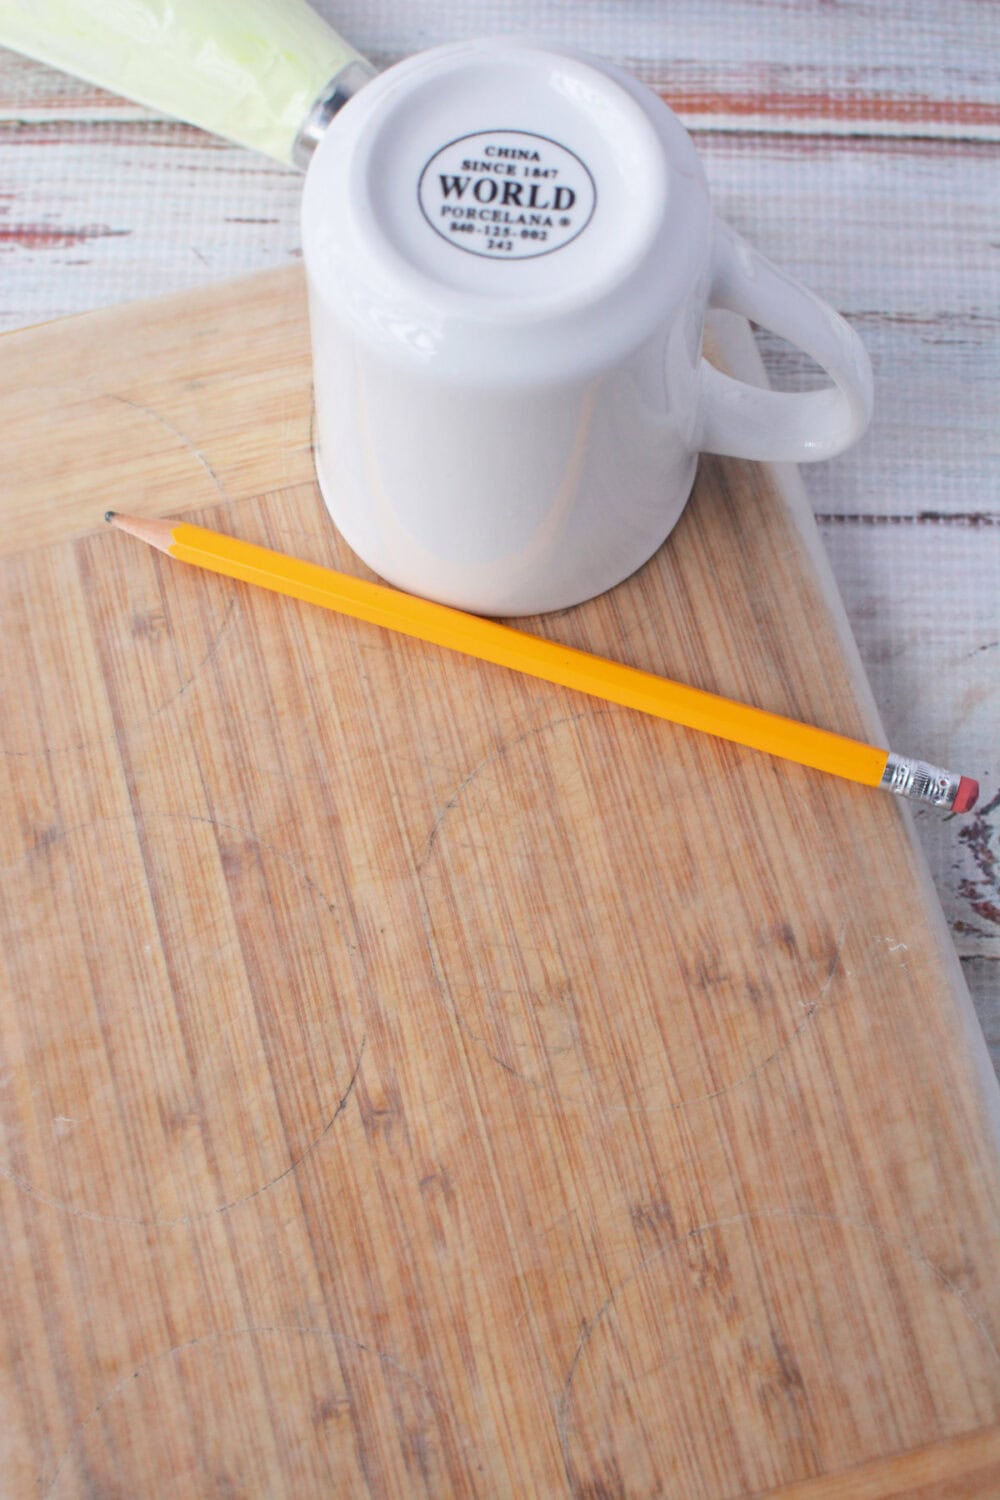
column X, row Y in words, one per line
column 510, row 253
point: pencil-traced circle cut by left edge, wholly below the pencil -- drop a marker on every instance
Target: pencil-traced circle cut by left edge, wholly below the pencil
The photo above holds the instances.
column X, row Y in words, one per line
column 187, row 1019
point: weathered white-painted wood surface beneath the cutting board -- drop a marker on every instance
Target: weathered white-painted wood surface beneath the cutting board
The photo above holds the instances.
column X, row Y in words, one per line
column 855, row 142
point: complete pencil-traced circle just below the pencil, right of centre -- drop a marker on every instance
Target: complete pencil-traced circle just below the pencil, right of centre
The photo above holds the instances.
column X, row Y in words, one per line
column 578, row 973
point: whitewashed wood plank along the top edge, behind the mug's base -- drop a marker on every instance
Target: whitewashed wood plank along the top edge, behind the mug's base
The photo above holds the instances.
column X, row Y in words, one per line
column 857, row 67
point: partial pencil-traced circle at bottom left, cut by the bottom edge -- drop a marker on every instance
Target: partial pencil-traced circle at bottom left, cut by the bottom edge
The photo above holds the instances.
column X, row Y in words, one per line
column 266, row 1411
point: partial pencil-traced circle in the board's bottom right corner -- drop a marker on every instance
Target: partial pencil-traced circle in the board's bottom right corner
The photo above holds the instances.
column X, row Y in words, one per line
column 693, row 1379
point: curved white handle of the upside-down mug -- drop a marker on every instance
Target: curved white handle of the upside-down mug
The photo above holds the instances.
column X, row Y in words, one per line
column 782, row 427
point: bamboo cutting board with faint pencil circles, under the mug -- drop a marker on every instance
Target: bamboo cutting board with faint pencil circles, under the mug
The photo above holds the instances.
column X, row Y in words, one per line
column 421, row 1081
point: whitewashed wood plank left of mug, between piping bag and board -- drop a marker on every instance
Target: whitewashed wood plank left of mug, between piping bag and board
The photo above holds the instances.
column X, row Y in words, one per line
column 95, row 215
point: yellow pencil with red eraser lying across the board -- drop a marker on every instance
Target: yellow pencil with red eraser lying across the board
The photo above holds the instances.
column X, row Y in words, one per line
column 503, row 646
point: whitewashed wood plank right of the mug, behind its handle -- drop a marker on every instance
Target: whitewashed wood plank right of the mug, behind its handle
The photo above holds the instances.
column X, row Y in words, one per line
column 905, row 241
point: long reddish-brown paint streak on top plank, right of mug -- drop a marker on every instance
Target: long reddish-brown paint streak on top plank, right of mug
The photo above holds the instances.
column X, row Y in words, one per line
column 782, row 104
